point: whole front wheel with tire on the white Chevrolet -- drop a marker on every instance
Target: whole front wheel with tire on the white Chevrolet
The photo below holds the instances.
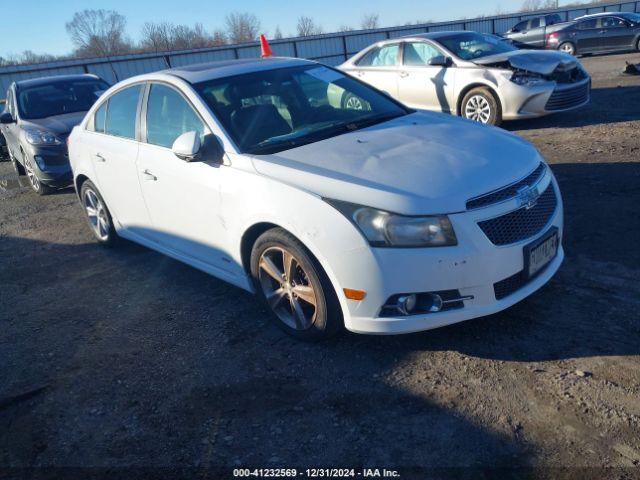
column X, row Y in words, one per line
column 290, row 294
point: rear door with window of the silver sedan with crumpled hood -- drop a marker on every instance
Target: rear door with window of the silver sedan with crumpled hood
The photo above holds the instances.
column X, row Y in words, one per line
column 379, row 67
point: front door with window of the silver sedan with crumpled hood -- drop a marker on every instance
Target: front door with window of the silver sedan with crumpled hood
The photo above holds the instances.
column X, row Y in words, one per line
column 421, row 85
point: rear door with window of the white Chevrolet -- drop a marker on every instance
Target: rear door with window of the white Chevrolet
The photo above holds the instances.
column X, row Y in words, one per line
column 112, row 144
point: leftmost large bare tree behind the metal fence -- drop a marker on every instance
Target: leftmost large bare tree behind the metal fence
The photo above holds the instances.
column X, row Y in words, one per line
column 98, row 32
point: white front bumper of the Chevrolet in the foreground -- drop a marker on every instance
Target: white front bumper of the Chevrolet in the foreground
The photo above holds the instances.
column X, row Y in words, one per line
column 472, row 267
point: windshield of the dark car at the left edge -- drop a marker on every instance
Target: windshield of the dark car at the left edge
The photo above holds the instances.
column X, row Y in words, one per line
column 58, row 98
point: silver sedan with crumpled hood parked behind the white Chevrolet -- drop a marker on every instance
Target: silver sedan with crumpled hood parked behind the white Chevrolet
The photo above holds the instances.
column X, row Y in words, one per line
column 477, row 76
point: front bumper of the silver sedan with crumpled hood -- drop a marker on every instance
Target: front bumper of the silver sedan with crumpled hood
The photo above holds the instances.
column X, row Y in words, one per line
column 521, row 102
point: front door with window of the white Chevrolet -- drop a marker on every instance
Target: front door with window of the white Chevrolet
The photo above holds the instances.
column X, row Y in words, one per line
column 183, row 198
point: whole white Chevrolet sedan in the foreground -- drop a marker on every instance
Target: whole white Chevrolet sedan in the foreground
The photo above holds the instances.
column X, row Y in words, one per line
column 380, row 220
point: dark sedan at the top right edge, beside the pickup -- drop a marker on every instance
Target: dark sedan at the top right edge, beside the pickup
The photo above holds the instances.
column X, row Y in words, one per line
column 598, row 33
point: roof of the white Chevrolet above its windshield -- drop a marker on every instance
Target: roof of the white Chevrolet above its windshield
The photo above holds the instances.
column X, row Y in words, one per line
column 213, row 70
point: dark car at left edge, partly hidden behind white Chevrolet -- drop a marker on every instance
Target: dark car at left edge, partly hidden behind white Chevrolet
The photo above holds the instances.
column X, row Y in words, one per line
column 38, row 116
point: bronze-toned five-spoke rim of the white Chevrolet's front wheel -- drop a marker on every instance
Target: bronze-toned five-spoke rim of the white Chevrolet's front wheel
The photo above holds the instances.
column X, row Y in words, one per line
column 287, row 288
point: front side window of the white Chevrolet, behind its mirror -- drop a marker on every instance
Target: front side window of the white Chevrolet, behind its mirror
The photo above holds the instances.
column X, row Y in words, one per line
column 169, row 115
